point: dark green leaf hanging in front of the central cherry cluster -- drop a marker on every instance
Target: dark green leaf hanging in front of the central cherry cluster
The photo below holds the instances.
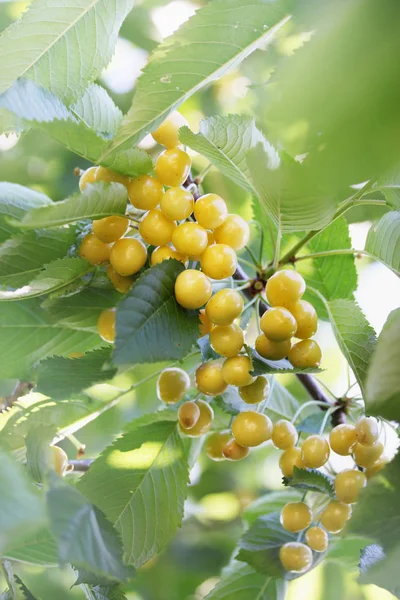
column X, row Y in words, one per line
column 151, row 325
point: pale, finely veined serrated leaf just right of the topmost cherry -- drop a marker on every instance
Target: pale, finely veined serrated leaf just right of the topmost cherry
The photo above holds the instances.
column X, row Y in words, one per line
column 225, row 141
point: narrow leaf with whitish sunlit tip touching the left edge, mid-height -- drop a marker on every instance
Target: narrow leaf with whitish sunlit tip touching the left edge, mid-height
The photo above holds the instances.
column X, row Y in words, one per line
column 55, row 276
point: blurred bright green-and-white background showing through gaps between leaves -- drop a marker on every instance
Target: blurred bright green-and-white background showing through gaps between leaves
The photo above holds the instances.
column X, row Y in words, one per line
column 190, row 566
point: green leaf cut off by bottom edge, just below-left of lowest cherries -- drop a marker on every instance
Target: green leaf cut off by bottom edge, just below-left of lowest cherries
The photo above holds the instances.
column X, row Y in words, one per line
column 241, row 582
